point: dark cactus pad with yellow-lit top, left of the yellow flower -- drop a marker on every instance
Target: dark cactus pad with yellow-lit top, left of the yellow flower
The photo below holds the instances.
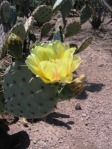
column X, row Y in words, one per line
column 15, row 46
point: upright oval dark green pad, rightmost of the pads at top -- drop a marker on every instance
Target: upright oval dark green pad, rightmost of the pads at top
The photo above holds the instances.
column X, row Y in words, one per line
column 86, row 13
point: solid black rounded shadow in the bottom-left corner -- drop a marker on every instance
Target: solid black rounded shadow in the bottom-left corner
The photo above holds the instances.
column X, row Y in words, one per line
column 18, row 140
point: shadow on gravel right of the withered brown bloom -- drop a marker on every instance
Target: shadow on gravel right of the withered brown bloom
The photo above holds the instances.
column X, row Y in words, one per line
column 90, row 87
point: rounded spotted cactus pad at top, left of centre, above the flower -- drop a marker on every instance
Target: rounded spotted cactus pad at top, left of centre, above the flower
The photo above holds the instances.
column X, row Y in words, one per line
column 42, row 14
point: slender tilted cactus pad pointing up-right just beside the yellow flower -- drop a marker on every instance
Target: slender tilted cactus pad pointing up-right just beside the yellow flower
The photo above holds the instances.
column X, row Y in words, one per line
column 84, row 44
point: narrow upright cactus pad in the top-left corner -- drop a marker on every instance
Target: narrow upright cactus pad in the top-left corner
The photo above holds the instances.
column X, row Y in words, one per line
column 5, row 11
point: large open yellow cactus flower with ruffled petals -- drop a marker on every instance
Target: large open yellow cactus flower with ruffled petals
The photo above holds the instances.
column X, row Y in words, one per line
column 53, row 62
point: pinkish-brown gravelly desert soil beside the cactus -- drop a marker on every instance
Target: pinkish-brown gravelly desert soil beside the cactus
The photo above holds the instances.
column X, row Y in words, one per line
column 70, row 128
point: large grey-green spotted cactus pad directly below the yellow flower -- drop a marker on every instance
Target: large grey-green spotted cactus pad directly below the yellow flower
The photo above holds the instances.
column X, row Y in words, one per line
column 26, row 95
